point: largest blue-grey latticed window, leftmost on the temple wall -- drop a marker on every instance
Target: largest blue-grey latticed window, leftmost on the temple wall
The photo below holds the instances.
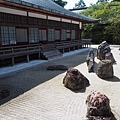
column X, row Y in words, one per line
column 8, row 35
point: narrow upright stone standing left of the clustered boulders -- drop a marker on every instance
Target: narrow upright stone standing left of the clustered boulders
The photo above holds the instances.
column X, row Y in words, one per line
column 90, row 60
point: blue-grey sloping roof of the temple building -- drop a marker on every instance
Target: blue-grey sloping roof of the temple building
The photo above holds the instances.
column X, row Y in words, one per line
column 49, row 5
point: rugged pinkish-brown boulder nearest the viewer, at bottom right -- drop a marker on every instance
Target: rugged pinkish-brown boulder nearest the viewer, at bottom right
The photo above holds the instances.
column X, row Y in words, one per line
column 98, row 107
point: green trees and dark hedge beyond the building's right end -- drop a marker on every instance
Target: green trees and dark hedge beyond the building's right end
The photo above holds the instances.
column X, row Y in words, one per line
column 108, row 27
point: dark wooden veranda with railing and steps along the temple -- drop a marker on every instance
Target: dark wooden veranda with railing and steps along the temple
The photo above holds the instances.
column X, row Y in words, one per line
column 12, row 54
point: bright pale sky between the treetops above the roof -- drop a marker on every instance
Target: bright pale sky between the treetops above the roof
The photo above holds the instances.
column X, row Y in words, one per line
column 71, row 3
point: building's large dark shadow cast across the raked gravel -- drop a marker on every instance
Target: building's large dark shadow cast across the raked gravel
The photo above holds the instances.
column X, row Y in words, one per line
column 20, row 82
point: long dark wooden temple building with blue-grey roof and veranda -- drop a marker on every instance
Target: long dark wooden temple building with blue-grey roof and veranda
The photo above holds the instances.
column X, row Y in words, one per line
column 31, row 29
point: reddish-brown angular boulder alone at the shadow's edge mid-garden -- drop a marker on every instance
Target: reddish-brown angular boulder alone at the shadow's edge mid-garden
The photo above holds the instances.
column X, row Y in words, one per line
column 75, row 80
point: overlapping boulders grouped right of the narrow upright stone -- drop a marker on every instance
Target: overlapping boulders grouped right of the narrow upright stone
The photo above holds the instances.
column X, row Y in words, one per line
column 105, row 66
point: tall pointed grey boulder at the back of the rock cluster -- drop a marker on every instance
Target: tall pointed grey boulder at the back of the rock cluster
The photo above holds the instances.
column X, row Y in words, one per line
column 103, row 48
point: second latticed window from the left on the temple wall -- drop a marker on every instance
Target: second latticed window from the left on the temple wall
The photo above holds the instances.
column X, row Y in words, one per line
column 34, row 35
